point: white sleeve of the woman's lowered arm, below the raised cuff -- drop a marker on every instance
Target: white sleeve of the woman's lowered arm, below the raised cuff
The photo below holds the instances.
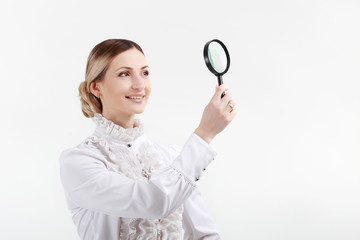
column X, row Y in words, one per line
column 197, row 222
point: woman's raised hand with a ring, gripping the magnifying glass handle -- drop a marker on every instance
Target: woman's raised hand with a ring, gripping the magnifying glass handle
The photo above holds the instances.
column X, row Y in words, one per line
column 217, row 114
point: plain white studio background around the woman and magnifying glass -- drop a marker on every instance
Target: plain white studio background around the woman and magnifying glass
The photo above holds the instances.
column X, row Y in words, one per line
column 288, row 166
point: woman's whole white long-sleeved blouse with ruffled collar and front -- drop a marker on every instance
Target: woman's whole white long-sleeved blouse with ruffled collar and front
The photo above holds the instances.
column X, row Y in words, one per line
column 121, row 185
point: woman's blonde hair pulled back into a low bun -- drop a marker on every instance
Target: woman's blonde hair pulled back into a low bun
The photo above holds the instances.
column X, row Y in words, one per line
column 98, row 62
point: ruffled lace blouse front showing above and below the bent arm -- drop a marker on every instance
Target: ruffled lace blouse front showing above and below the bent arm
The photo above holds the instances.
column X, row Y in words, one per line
column 139, row 165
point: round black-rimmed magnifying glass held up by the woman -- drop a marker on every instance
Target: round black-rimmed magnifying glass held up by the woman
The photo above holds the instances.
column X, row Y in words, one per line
column 217, row 59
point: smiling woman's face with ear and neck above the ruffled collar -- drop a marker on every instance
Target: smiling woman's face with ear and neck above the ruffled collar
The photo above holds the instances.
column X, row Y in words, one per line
column 126, row 86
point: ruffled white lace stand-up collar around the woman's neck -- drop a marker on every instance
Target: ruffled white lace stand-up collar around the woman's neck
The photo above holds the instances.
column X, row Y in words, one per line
column 116, row 131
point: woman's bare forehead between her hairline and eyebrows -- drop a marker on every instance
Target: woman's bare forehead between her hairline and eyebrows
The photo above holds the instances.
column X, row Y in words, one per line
column 130, row 58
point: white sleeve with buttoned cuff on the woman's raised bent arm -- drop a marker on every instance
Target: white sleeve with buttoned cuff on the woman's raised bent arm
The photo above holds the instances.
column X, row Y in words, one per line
column 89, row 184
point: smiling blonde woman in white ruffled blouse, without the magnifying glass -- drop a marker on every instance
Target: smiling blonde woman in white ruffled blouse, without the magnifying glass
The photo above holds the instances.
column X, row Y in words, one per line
column 118, row 183
